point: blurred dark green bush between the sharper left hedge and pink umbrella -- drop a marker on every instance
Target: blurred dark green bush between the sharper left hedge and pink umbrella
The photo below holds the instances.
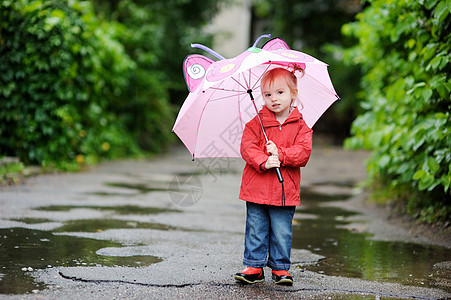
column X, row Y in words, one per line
column 156, row 35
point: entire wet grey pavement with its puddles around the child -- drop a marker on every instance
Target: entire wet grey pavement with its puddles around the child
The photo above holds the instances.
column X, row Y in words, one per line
column 170, row 227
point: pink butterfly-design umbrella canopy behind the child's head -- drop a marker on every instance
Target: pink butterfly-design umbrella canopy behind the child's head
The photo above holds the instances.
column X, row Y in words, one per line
column 212, row 118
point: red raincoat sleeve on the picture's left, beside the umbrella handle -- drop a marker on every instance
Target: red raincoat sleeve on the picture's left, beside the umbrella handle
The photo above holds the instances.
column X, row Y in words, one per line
column 251, row 147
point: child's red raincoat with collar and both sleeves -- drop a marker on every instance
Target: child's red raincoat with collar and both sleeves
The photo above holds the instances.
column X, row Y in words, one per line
column 293, row 139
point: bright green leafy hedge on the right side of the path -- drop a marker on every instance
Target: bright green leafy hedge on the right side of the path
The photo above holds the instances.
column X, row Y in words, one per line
column 404, row 51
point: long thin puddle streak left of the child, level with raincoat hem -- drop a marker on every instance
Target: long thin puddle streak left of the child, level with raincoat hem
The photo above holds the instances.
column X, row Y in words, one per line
column 121, row 210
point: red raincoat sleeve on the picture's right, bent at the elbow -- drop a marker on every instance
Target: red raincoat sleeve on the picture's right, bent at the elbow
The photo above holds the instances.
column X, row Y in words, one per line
column 298, row 154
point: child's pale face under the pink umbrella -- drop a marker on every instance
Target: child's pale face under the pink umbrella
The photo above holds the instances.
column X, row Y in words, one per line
column 278, row 97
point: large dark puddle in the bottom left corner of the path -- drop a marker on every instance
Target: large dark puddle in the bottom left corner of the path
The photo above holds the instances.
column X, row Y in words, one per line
column 24, row 248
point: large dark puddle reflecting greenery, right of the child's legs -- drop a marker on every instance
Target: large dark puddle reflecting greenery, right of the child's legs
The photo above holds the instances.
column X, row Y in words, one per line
column 352, row 254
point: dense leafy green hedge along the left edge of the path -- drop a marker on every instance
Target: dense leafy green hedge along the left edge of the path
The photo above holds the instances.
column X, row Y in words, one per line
column 59, row 70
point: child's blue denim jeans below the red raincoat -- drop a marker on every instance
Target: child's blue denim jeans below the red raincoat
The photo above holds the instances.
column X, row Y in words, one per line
column 269, row 232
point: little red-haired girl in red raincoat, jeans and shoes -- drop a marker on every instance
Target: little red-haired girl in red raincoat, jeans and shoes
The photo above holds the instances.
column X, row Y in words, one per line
column 270, row 208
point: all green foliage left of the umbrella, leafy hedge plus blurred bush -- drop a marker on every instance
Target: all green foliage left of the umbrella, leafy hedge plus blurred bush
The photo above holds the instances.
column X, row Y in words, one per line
column 80, row 82
